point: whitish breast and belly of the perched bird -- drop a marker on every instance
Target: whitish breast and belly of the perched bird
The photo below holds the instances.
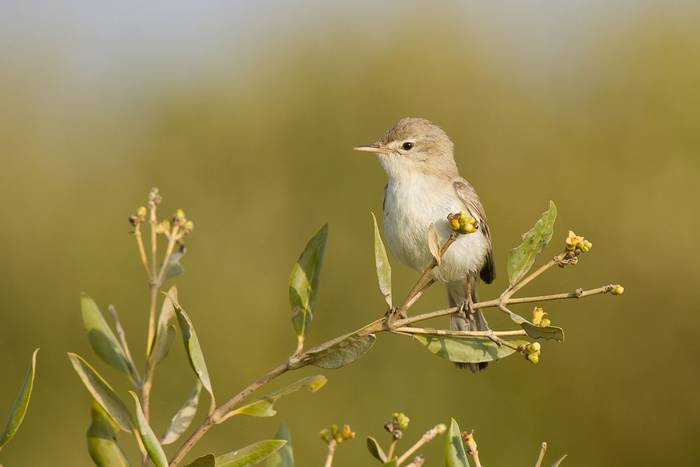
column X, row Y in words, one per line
column 409, row 209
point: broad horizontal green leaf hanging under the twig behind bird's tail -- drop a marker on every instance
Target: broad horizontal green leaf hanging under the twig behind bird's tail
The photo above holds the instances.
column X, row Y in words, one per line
column 466, row 349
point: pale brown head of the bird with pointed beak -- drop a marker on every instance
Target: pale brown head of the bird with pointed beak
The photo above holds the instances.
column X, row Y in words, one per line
column 412, row 147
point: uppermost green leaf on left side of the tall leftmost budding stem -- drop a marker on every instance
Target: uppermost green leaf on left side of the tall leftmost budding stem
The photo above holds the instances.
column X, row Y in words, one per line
column 102, row 339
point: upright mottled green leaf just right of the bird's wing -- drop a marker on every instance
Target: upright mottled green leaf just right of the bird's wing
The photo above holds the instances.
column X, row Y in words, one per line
column 523, row 256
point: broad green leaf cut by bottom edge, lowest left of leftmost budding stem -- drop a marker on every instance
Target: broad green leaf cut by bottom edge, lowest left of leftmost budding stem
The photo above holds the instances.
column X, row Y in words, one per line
column 102, row 440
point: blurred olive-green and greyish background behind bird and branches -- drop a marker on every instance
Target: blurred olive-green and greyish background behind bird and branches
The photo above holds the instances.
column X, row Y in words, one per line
column 244, row 113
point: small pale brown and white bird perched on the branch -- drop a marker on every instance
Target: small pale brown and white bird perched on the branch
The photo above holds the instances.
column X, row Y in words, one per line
column 424, row 187
